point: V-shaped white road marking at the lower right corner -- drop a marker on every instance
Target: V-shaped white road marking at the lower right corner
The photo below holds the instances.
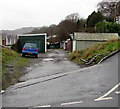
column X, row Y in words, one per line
column 103, row 97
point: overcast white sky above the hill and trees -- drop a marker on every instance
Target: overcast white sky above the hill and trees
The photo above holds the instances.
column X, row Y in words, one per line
column 37, row 13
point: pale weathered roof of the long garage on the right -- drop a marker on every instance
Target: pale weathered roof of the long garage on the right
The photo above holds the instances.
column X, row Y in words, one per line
column 95, row 36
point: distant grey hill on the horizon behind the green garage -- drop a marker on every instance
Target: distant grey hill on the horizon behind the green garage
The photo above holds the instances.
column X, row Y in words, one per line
column 19, row 31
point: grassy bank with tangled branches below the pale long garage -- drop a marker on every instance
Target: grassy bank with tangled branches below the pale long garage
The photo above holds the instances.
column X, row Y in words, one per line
column 95, row 53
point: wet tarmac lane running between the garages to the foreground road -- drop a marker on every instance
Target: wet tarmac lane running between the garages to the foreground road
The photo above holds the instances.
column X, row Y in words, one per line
column 54, row 62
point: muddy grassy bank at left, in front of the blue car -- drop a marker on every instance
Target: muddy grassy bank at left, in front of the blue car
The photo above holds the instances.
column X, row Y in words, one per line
column 12, row 67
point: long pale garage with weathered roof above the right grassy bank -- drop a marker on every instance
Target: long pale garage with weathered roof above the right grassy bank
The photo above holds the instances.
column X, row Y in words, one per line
column 85, row 40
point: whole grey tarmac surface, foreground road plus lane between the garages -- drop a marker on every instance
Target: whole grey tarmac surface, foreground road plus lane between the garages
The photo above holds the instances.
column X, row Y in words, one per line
column 56, row 82
